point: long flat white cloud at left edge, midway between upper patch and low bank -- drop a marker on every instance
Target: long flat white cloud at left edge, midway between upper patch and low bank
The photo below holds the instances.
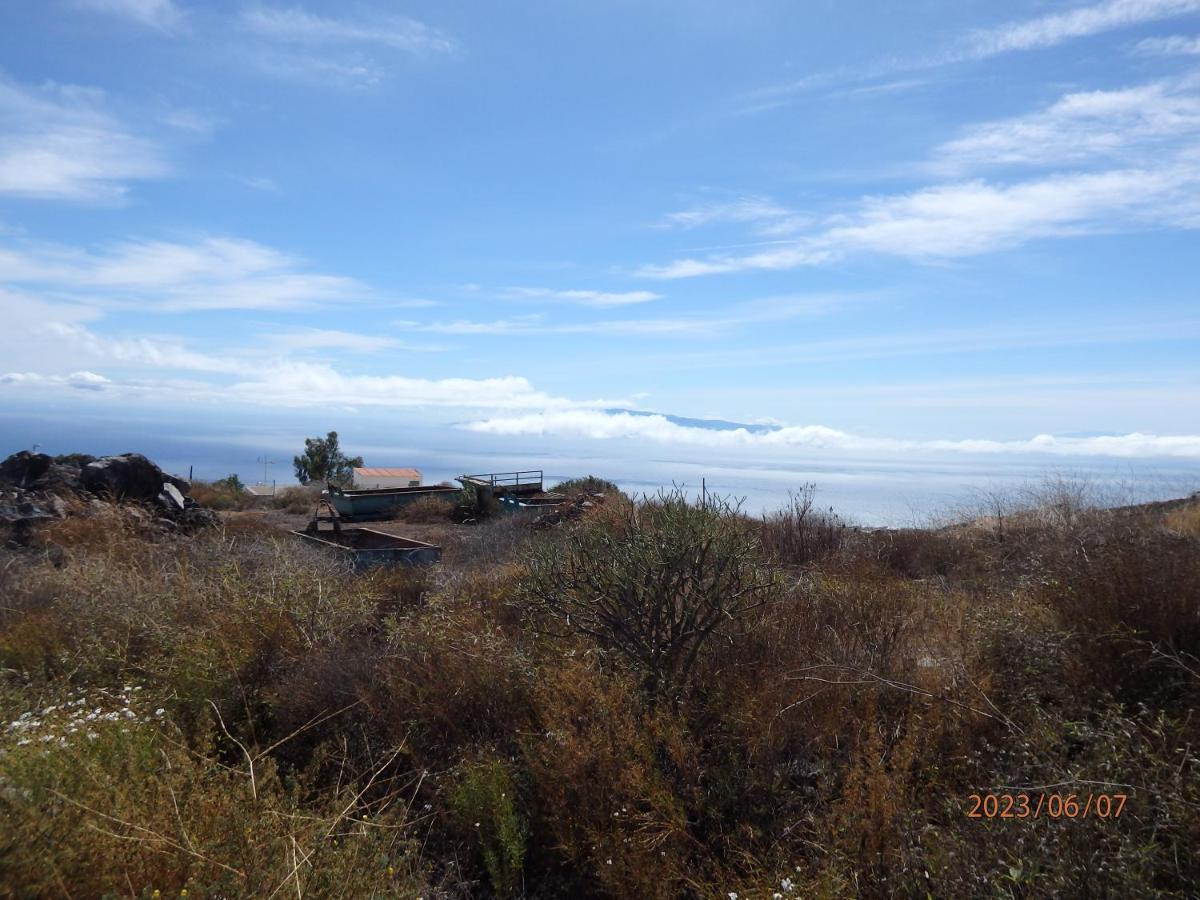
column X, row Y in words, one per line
column 207, row 274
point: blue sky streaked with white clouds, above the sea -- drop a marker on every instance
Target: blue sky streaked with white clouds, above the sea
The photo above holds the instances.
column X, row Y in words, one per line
column 938, row 229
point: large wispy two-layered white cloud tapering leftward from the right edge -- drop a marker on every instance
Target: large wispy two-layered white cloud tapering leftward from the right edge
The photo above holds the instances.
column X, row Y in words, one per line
column 1150, row 134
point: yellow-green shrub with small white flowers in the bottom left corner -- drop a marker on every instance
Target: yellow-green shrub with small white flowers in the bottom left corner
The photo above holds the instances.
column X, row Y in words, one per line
column 103, row 799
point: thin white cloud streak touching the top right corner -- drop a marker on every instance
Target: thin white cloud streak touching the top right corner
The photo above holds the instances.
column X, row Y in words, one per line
column 1083, row 22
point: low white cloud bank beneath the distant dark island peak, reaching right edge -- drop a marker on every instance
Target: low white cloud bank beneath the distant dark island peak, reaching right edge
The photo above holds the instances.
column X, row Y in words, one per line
column 599, row 425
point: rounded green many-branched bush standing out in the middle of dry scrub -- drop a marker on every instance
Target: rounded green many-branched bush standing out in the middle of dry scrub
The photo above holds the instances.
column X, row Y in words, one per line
column 655, row 584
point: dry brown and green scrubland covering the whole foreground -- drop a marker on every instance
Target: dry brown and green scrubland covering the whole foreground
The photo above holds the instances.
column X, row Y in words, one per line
column 659, row 700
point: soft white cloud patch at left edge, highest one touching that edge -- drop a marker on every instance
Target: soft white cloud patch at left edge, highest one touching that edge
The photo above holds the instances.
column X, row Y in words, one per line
column 59, row 142
